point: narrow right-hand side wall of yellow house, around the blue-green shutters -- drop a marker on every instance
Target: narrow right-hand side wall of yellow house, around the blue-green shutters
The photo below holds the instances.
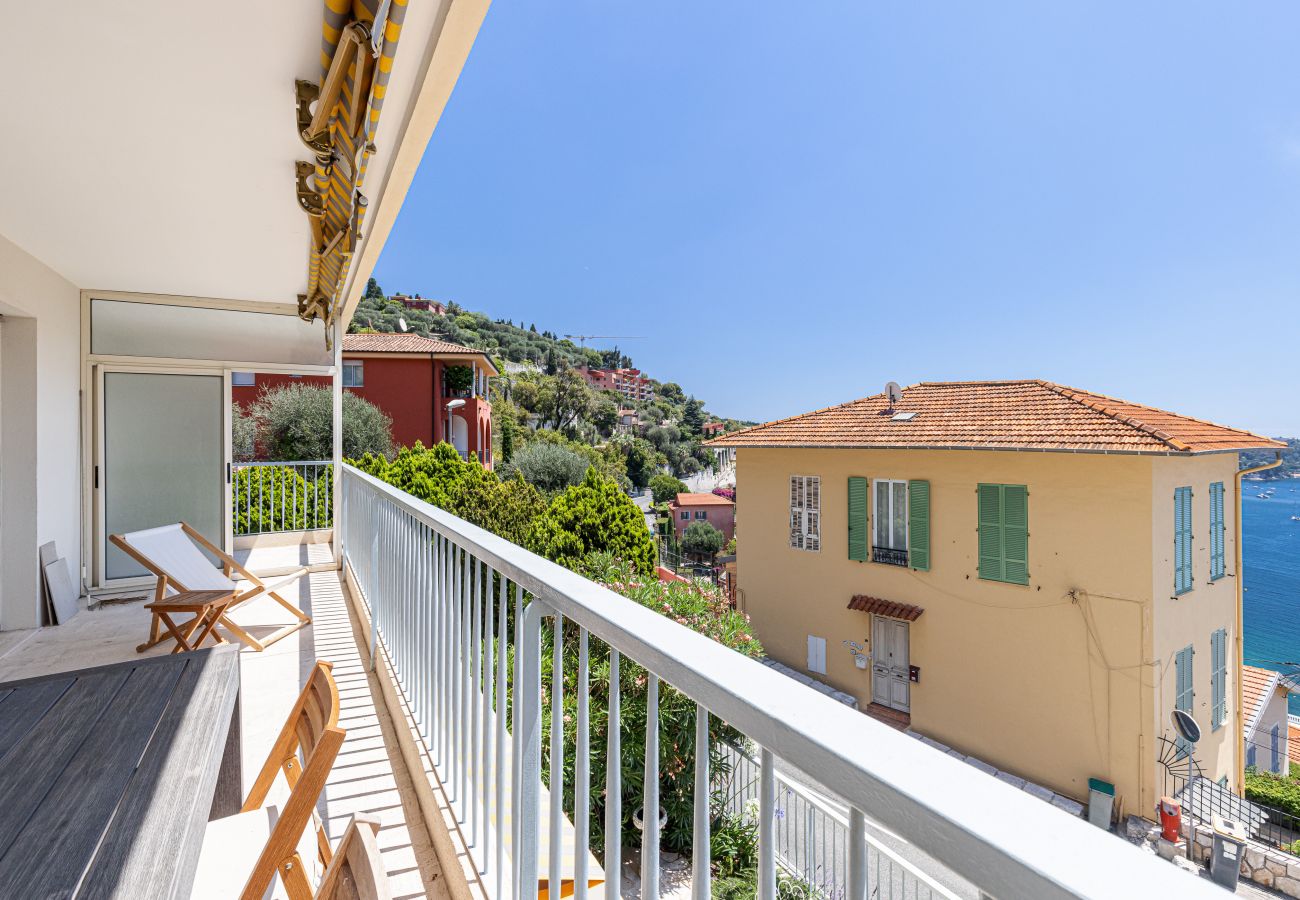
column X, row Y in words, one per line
column 1190, row 618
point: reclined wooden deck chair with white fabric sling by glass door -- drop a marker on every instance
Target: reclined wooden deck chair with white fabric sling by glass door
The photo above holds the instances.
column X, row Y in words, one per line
column 175, row 553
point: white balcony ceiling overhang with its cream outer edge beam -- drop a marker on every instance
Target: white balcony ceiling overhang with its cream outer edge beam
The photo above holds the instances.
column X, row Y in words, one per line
column 153, row 145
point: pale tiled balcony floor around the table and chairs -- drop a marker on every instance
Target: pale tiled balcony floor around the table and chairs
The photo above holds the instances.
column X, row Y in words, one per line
column 365, row 778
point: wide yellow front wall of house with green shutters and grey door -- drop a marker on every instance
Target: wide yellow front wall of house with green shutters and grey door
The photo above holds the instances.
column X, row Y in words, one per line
column 1048, row 681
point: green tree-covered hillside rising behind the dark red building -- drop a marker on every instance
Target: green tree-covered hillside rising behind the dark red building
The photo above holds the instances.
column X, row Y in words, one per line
column 549, row 425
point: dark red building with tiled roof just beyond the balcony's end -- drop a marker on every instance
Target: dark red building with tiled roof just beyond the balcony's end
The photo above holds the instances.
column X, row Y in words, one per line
column 406, row 377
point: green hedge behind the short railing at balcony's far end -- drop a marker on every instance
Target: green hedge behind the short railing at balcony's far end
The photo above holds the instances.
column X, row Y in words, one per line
column 275, row 499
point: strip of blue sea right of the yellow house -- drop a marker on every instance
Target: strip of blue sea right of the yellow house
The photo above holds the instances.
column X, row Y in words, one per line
column 1271, row 543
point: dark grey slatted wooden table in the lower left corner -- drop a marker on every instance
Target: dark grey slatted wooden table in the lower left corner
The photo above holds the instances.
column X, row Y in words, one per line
column 110, row 776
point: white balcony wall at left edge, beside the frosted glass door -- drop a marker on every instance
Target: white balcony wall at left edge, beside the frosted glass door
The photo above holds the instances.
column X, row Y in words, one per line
column 40, row 353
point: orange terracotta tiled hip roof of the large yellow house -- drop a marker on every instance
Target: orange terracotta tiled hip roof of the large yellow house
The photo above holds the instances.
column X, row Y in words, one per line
column 999, row 416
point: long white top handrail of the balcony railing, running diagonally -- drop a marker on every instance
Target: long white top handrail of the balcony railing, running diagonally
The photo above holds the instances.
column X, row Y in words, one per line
column 1004, row 841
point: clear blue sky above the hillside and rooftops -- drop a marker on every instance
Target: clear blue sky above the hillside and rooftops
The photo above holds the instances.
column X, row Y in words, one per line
column 798, row 204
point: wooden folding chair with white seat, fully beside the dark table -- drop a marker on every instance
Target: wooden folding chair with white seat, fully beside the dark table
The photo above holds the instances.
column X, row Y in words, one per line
column 305, row 752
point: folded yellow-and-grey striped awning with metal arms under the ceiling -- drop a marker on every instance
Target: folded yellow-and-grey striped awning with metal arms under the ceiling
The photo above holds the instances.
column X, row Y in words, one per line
column 358, row 44
